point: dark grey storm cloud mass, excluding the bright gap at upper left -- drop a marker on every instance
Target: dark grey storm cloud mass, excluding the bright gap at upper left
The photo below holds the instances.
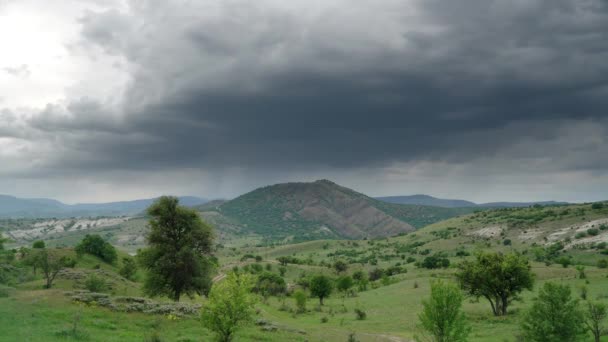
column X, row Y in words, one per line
column 268, row 88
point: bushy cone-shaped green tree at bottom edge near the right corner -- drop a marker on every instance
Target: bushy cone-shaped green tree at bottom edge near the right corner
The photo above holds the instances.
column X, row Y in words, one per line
column 554, row 316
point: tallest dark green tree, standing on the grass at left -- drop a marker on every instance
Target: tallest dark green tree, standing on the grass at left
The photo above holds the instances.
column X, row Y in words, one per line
column 178, row 259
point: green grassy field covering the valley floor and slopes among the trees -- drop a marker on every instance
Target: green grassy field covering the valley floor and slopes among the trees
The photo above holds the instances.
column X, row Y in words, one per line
column 391, row 304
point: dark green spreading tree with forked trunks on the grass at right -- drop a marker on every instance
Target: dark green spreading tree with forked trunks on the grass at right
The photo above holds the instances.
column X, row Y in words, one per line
column 497, row 277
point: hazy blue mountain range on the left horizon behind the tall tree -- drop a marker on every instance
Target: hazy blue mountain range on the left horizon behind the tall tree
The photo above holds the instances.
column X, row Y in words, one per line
column 13, row 207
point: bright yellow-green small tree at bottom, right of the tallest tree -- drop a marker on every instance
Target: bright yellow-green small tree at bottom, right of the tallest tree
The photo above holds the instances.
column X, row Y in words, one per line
column 230, row 306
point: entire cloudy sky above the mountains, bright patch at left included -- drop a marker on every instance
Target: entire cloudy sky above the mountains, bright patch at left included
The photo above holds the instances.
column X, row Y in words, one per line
column 484, row 100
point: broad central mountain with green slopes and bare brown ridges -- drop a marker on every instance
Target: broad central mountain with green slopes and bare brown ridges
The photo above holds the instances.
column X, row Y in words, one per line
column 323, row 209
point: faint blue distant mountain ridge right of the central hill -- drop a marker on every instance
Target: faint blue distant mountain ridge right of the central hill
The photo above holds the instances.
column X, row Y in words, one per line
column 458, row 203
